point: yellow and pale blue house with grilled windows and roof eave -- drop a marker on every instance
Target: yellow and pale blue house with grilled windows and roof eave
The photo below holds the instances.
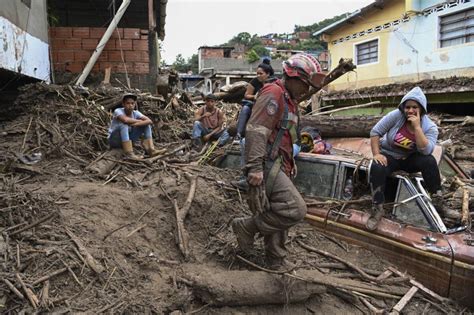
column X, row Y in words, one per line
column 394, row 41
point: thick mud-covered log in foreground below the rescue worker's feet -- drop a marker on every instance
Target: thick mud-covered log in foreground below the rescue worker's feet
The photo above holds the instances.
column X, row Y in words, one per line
column 242, row 287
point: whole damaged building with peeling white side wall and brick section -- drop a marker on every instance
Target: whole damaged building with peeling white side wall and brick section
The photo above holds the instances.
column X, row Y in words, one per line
column 53, row 41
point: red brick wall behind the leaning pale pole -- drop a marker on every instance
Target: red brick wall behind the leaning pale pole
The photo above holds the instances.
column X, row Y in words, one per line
column 73, row 46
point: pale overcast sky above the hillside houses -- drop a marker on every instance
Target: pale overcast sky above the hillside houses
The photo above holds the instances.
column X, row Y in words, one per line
column 194, row 23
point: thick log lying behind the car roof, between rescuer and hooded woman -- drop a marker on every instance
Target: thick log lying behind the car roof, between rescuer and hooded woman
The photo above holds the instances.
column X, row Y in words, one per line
column 341, row 126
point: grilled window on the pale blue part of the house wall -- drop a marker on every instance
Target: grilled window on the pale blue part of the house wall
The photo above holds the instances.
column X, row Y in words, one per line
column 457, row 28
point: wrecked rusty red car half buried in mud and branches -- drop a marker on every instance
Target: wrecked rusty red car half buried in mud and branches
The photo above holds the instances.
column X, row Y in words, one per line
column 414, row 237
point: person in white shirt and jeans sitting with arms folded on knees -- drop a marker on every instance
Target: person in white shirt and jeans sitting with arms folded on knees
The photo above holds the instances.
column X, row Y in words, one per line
column 128, row 125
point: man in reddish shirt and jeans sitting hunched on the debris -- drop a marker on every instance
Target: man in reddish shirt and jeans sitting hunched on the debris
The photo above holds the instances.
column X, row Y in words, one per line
column 209, row 123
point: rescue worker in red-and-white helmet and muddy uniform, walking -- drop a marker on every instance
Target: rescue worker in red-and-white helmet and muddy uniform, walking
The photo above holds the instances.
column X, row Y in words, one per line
column 270, row 134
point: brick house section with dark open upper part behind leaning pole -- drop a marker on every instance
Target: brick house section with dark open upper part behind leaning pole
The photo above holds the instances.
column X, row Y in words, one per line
column 132, row 51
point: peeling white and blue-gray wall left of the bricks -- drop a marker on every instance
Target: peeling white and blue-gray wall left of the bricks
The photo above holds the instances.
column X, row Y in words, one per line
column 24, row 38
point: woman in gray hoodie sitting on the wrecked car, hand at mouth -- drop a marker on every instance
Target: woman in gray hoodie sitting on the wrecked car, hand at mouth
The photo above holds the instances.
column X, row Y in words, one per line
column 403, row 139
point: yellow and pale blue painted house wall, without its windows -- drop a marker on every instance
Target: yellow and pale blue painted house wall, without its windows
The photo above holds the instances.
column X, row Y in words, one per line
column 408, row 51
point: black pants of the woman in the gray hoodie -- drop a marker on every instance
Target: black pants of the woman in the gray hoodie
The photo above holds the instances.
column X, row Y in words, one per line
column 417, row 162
